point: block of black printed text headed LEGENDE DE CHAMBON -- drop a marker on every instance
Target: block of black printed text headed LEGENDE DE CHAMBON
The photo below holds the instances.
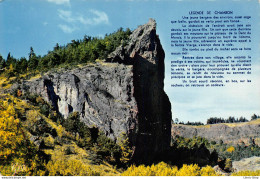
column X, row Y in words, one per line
column 210, row 49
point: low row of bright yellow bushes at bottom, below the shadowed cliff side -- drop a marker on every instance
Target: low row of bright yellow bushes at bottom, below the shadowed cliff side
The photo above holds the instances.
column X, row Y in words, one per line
column 163, row 169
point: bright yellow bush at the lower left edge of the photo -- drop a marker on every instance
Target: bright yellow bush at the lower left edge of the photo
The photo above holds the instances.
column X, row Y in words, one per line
column 16, row 153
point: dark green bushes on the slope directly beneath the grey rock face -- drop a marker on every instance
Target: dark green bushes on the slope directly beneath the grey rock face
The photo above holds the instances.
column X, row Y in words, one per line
column 100, row 147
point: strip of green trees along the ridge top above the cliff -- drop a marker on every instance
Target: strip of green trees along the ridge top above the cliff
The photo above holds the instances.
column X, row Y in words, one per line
column 77, row 52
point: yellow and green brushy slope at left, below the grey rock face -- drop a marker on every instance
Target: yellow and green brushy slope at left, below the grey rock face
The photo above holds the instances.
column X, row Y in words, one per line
column 34, row 142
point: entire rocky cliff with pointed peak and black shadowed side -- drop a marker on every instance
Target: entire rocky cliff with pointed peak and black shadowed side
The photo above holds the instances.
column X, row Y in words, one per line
column 124, row 94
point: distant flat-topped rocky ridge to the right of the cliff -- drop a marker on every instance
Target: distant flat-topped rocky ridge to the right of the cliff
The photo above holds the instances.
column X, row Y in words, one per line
column 227, row 132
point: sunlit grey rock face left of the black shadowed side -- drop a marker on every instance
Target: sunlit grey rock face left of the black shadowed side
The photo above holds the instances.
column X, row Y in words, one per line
column 103, row 95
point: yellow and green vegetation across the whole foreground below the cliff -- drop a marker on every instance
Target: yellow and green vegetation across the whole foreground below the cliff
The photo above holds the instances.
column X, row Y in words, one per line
column 35, row 140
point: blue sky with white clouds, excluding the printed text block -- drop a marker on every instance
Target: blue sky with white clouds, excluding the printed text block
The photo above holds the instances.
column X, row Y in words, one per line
column 43, row 23
